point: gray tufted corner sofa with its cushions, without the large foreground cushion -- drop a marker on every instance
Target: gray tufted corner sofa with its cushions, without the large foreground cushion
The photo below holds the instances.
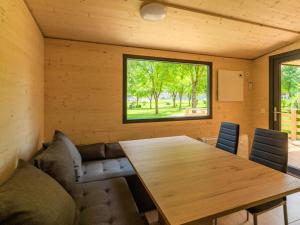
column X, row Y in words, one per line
column 99, row 178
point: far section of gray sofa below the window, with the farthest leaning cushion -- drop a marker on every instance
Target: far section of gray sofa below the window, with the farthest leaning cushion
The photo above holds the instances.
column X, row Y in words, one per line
column 96, row 162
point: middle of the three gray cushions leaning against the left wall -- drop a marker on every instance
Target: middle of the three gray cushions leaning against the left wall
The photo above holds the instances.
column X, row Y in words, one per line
column 57, row 162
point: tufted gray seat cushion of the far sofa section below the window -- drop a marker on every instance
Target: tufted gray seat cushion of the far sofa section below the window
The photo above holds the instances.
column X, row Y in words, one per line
column 104, row 169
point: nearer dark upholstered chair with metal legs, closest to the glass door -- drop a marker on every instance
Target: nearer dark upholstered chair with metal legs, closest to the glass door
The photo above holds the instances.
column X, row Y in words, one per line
column 270, row 148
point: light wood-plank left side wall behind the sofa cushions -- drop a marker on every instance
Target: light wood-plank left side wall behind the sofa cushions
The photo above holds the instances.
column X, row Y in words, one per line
column 21, row 85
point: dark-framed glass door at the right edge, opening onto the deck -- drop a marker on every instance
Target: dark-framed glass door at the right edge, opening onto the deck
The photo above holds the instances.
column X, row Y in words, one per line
column 285, row 103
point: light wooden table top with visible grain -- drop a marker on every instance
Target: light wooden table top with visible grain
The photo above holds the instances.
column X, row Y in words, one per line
column 191, row 181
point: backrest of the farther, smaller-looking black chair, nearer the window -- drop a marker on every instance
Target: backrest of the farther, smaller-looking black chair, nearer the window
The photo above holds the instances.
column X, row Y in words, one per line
column 228, row 138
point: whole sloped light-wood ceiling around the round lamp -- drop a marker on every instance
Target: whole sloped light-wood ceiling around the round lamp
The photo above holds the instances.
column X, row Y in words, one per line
column 233, row 28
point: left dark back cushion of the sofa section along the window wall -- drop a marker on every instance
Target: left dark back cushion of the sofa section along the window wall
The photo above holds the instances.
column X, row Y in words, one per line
column 92, row 152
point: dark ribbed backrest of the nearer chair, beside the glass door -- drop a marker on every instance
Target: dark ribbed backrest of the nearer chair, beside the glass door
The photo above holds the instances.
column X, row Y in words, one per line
column 270, row 148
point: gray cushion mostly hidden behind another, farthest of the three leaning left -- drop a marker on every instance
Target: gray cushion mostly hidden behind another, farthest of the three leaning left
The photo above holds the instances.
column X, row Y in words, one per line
column 77, row 160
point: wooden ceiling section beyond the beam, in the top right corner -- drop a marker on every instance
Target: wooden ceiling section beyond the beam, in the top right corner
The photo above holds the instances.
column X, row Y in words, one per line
column 280, row 13
